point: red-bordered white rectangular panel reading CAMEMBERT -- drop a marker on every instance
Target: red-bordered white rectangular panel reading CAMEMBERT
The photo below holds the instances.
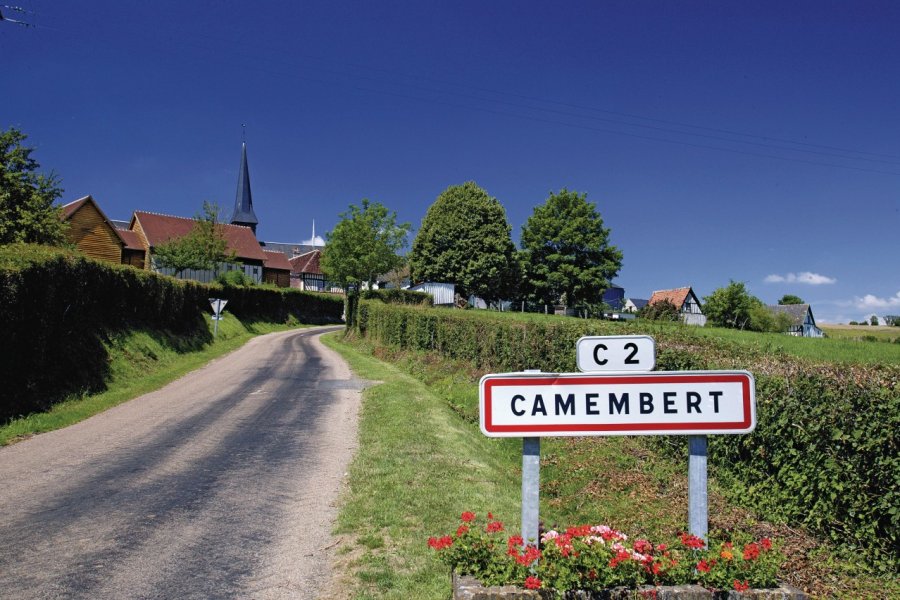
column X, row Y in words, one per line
column 658, row 403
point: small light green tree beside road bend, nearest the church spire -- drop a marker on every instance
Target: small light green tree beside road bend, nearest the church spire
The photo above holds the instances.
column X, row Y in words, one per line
column 364, row 244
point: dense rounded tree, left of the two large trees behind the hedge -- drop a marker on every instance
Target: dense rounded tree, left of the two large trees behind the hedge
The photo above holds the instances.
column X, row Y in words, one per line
column 465, row 240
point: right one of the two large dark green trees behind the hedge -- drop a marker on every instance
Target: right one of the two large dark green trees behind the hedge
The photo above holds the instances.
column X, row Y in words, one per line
column 566, row 254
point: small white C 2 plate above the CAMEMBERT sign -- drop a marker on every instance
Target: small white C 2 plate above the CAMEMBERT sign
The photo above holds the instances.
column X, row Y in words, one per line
column 615, row 353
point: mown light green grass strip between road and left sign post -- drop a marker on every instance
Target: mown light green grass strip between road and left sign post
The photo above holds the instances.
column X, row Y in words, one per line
column 418, row 467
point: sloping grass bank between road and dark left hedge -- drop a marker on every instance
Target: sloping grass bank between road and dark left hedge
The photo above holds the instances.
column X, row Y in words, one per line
column 140, row 362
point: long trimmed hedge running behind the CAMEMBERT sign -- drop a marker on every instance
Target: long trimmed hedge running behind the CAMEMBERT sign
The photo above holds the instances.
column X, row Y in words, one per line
column 825, row 451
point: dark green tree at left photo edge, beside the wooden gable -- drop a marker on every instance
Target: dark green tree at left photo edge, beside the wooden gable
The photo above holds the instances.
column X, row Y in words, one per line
column 27, row 213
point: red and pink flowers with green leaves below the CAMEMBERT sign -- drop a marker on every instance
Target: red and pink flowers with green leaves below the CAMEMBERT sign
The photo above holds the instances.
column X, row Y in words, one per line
column 597, row 557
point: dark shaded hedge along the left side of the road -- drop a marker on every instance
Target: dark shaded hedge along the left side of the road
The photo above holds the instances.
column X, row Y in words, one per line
column 57, row 309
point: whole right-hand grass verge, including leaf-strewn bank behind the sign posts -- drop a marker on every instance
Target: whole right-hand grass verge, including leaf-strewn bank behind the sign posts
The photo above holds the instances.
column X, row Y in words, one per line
column 422, row 461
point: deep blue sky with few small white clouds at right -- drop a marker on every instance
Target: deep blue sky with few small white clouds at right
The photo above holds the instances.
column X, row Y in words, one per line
column 748, row 141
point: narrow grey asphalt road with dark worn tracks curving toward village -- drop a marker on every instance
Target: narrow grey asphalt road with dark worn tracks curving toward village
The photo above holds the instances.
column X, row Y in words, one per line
column 221, row 485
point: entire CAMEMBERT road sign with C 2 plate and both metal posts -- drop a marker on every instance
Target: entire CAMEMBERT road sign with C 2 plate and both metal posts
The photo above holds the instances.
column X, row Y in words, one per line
column 617, row 394
